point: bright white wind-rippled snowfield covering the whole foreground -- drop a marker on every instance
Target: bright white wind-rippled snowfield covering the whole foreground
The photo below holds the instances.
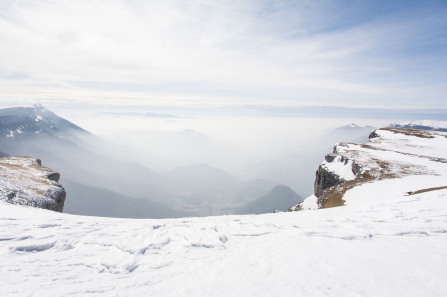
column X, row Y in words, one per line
column 384, row 242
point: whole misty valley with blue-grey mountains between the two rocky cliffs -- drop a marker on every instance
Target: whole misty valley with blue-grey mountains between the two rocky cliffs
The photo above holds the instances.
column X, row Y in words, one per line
column 159, row 167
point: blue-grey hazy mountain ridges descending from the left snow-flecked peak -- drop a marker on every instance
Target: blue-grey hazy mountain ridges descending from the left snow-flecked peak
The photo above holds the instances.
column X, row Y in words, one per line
column 102, row 181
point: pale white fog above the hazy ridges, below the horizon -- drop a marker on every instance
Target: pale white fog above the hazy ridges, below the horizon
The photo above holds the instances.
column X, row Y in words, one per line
column 284, row 151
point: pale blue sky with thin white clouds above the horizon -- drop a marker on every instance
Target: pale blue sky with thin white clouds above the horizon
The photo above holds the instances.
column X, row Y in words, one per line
column 280, row 58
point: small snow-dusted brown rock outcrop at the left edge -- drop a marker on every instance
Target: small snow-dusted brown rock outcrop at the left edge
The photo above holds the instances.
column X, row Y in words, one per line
column 24, row 181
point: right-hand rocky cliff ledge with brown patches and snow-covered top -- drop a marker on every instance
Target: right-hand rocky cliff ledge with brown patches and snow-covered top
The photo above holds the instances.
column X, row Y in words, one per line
column 390, row 153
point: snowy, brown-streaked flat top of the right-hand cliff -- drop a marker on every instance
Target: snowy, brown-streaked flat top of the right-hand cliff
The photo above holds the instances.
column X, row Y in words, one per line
column 393, row 153
